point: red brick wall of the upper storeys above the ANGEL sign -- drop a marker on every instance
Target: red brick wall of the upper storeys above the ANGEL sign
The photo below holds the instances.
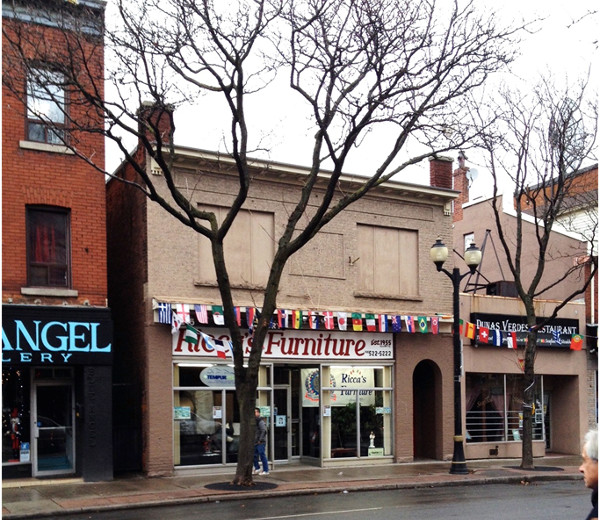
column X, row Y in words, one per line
column 57, row 179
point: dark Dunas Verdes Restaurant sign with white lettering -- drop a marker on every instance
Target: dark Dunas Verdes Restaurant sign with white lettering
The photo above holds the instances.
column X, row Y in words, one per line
column 557, row 333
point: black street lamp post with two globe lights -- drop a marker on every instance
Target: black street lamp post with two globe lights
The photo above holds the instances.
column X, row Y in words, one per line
column 439, row 254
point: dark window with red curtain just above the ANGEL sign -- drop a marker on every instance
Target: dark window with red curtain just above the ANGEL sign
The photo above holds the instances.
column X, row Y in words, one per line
column 48, row 247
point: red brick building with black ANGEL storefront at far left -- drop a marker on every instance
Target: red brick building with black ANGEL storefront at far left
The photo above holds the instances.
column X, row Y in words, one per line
column 56, row 326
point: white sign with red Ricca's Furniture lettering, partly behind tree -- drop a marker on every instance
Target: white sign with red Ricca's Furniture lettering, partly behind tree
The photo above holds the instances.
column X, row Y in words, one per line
column 296, row 344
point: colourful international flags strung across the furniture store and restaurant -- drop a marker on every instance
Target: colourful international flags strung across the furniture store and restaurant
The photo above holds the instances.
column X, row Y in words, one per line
column 203, row 314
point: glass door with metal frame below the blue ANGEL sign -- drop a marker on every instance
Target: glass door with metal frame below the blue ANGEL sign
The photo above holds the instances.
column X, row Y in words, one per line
column 52, row 427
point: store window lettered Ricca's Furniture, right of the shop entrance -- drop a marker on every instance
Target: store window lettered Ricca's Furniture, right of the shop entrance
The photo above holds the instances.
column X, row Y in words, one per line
column 357, row 412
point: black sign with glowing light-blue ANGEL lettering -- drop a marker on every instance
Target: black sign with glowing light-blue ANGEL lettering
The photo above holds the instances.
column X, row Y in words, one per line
column 56, row 335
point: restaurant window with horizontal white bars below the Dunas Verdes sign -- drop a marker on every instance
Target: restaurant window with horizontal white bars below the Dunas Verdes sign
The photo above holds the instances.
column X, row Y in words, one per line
column 494, row 408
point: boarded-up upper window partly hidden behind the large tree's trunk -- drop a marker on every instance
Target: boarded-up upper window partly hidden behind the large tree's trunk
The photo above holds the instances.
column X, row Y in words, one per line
column 249, row 249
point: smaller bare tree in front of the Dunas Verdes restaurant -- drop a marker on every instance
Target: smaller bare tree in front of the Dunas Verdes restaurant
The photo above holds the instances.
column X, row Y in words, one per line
column 541, row 139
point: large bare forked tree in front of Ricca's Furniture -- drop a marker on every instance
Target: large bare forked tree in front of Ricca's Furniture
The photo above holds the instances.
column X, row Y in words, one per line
column 395, row 68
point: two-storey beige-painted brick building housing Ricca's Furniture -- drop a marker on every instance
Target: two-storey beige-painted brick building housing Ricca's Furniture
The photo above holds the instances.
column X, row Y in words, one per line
column 357, row 365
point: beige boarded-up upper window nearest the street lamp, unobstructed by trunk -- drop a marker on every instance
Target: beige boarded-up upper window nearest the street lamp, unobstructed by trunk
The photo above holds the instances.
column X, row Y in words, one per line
column 388, row 262
